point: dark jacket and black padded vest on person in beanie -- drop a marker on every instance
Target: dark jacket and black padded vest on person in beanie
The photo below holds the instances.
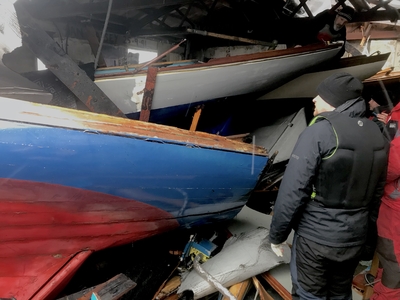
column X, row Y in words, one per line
column 347, row 190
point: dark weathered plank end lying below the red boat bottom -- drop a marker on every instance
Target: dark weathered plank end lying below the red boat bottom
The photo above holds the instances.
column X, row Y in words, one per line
column 112, row 289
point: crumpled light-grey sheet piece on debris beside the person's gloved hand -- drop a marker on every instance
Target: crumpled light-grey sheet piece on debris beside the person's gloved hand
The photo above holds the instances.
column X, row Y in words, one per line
column 243, row 256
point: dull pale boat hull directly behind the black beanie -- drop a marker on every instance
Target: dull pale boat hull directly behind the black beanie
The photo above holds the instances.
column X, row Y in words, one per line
column 305, row 86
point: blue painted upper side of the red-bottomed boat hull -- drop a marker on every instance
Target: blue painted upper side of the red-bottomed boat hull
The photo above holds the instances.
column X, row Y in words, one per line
column 170, row 175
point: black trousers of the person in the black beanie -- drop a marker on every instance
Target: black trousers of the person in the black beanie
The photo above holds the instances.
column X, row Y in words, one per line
column 322, row 272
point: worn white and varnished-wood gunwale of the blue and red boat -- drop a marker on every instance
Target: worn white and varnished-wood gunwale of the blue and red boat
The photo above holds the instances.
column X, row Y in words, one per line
column 29, row 113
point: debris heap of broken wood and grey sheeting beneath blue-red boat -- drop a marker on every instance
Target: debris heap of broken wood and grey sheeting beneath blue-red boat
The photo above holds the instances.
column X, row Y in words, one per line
column 211, row 264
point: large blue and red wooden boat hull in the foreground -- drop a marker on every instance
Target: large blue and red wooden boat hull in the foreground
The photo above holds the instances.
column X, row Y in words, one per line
column 75, row 182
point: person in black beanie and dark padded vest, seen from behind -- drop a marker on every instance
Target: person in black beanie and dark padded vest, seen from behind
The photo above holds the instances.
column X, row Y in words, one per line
column 330, row 193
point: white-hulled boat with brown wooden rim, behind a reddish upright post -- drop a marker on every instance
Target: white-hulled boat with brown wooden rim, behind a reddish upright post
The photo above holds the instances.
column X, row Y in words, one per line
column 180, row 87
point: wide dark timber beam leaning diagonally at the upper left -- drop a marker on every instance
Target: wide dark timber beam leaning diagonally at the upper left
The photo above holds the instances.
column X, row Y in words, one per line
column 62, row 66
